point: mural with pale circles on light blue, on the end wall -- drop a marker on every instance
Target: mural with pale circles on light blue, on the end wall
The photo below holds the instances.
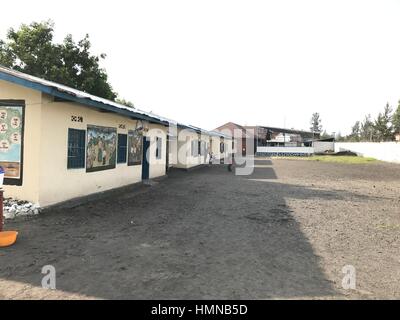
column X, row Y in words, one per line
column 11, row 125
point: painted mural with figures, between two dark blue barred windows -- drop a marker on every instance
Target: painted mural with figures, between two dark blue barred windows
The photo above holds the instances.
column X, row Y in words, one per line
column 101, row 148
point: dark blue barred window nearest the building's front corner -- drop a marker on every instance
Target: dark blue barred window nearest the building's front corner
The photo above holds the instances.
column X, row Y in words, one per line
column 76, row 148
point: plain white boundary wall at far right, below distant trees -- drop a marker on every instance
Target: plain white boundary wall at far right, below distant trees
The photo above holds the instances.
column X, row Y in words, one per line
column 385, row 151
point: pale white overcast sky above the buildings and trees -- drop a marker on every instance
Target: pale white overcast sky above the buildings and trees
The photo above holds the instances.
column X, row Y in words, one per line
column 208, row 62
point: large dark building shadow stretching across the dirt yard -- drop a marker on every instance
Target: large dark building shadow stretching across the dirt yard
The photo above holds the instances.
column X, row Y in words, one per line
column 203, row 234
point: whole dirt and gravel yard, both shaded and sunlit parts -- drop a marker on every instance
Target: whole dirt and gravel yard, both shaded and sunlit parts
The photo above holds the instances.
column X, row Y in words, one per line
column 284, row 232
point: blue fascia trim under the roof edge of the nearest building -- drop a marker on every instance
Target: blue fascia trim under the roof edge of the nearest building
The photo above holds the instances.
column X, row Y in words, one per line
column 54, row 92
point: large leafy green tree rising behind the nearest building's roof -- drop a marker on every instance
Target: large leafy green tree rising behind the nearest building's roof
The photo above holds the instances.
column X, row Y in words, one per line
column 31, row 49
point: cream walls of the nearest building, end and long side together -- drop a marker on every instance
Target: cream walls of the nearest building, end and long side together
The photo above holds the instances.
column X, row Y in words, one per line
column 46, row 179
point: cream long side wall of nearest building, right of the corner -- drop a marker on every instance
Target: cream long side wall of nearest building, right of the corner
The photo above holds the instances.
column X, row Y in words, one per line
column 57, row 183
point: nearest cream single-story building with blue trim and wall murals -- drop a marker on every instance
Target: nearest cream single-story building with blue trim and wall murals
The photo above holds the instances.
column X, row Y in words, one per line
column 58, row 143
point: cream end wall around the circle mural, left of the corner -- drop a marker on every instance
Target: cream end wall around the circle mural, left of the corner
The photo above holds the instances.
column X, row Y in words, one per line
column 33, row 117
